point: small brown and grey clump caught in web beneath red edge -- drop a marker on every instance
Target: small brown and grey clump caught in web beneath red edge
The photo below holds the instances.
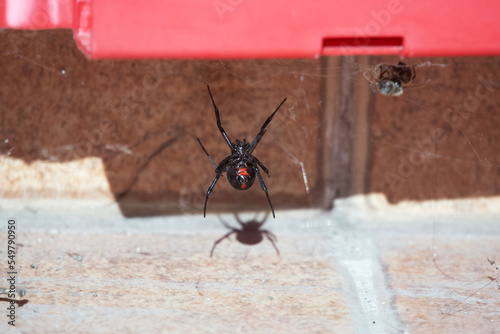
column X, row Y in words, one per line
column 390, row 79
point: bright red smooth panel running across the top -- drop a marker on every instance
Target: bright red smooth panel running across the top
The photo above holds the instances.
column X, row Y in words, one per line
column 258, row 28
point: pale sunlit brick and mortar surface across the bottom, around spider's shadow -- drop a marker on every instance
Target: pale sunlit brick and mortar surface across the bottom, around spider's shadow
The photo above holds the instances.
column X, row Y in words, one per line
column 86, row 268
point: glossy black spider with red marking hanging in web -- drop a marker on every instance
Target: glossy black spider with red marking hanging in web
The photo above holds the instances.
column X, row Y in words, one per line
column 241, row 166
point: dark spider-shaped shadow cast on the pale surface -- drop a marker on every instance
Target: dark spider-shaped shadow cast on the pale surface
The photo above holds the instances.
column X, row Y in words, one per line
column 249, row 234
